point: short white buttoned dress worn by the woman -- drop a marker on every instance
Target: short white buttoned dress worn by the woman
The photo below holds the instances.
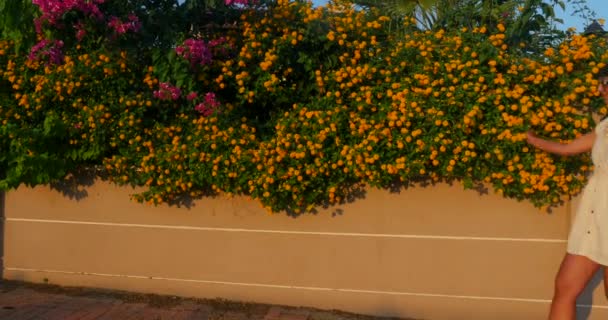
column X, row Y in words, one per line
column 589, row 234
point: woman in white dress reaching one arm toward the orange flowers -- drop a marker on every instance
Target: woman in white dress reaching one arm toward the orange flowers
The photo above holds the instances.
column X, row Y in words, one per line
column 588, row 239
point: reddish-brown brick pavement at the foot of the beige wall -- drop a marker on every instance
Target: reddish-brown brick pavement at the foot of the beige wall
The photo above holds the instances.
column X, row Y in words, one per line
column 22, row 301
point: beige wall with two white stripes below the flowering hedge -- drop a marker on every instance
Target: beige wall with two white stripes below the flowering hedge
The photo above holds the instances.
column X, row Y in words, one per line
column 427, row 253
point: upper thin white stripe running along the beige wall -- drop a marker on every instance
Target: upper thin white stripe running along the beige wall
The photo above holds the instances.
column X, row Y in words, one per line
column 288, row 232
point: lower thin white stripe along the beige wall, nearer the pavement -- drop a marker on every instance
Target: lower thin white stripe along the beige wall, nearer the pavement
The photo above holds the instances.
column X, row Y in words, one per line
column 274, row 286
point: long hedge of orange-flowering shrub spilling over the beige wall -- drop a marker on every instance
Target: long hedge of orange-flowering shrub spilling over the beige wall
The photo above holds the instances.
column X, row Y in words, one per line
column 312, row 105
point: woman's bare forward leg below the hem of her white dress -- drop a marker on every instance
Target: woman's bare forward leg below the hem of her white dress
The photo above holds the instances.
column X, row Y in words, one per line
column 574, row 274
